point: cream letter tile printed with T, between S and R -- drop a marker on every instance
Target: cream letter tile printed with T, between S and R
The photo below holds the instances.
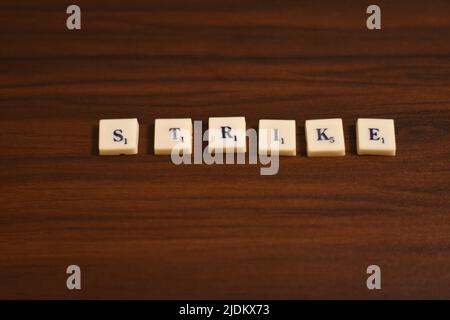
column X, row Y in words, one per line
column 173, row 134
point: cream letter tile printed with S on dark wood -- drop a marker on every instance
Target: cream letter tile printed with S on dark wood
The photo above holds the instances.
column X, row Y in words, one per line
column 118, row 136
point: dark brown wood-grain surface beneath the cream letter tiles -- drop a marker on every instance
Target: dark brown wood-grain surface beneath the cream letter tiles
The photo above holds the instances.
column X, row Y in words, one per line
column 141, row 227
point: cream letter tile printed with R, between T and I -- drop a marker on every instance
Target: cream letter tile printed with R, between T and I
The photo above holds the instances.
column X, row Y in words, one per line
column 227, row 135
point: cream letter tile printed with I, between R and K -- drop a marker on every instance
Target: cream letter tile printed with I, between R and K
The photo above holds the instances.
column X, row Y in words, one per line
column 277, row 135
